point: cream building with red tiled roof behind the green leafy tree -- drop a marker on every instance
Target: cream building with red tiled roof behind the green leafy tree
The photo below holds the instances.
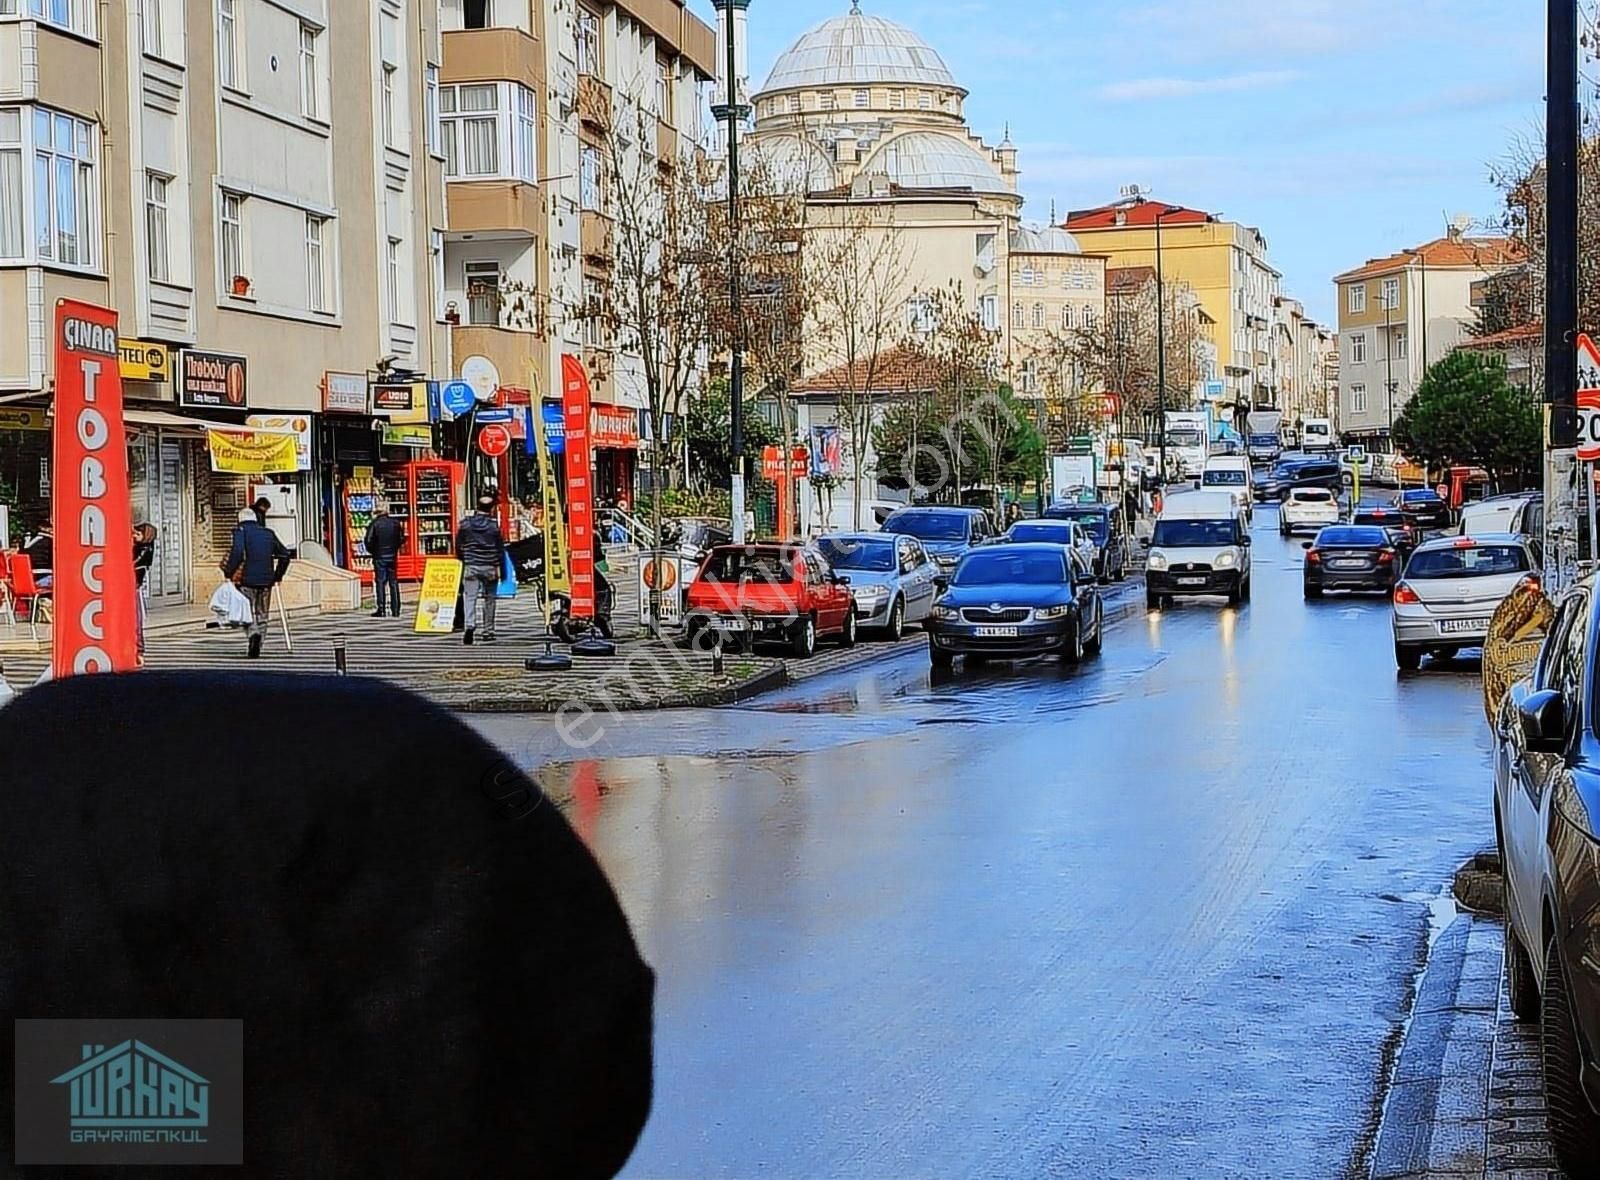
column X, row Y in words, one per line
column 1401, row 314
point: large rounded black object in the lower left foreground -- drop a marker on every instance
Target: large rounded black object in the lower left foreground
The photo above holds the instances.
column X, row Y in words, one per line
column 431, row 981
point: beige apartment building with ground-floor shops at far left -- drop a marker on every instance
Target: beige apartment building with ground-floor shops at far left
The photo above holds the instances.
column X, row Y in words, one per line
column 254, row 185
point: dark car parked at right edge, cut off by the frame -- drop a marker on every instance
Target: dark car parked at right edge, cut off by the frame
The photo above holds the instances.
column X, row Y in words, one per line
column 1548, row 824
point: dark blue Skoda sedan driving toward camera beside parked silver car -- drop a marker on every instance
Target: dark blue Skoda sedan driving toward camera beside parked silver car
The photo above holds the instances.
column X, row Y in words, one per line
column 1017, row 602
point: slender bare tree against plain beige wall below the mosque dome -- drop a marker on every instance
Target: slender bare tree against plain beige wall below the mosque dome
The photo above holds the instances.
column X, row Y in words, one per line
column 855, row 273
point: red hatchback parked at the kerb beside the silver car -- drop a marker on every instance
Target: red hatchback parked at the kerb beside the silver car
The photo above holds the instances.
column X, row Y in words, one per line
column 751, row 594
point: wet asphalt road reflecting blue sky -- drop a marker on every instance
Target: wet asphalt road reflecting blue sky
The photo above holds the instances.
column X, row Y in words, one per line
column 1154, row 917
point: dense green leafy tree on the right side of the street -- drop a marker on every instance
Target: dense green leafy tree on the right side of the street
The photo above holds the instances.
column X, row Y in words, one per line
column 1468, row 412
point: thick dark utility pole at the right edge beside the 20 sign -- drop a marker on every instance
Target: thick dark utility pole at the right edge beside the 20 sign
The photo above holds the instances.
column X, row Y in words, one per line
column 1561, row 292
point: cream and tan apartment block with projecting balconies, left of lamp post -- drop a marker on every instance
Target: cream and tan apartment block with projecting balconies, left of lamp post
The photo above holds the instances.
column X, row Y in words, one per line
column 534, row 95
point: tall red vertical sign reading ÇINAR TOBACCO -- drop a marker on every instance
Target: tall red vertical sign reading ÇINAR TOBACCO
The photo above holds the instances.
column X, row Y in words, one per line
column 97, row 618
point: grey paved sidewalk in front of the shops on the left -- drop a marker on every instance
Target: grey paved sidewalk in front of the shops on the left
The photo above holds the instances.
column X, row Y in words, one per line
column 492, row 679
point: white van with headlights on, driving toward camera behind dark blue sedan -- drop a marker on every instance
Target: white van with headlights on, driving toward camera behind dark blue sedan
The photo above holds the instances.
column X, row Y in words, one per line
column 1201, row 546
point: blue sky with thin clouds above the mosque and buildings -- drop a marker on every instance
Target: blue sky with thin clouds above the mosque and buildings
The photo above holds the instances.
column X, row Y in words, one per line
column 1343, row 129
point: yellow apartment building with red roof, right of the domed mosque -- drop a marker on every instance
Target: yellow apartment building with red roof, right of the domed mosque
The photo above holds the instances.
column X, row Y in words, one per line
column 1226, row 266
